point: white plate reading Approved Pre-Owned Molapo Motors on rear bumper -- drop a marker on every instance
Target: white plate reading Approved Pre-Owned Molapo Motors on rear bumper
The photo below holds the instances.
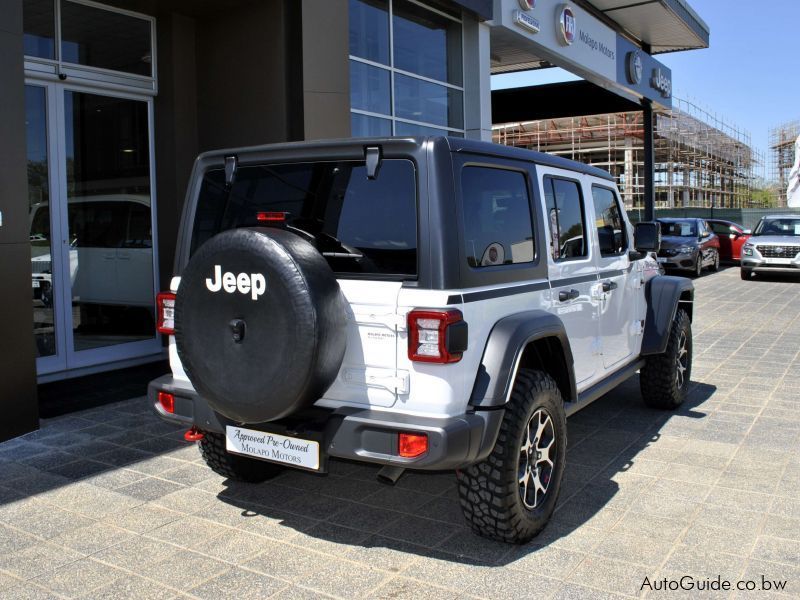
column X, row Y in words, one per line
column 273, row 447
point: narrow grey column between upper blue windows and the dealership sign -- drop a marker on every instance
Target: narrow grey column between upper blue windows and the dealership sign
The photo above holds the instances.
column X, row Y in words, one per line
column 477, row 80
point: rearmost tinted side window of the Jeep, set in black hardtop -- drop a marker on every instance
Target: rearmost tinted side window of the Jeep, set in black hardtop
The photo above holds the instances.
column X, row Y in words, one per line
column 497, row 217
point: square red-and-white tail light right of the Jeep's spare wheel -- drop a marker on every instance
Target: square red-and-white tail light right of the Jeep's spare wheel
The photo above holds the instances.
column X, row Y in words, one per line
column 436, row 336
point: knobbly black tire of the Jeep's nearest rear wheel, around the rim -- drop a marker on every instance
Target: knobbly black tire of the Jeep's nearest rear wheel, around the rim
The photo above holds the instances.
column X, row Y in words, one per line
column 489, row 491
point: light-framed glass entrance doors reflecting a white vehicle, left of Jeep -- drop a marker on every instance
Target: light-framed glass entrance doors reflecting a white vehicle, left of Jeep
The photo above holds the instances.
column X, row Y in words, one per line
column 91, row 227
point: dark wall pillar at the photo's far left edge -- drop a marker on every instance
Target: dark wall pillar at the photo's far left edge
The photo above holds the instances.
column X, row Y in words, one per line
column 19, row 403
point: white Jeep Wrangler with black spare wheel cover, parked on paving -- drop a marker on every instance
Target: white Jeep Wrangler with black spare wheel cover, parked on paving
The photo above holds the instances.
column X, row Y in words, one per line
column 425, row 303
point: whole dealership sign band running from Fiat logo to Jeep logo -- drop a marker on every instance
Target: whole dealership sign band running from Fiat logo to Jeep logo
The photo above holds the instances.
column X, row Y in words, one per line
column 570, row 37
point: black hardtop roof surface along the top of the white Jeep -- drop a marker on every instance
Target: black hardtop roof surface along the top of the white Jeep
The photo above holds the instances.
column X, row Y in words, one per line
column 318, row 147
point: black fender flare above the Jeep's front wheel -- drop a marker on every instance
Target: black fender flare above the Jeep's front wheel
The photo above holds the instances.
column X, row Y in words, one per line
column 663, row 295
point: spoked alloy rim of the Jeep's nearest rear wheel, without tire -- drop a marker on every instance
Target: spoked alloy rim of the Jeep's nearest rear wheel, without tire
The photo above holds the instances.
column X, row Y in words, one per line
column 537, row 459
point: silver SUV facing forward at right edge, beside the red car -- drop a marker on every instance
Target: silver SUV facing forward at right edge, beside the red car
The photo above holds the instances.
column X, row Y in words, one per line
column 774, row 246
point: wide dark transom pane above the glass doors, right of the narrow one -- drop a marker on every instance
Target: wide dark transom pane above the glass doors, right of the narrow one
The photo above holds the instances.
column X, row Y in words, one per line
column 102, row 38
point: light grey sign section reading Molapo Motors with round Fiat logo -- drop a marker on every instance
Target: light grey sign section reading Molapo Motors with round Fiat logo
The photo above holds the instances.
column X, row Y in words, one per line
column 566, row 35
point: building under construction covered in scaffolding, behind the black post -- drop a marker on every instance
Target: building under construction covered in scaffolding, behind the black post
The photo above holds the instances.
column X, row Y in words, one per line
column 700, row 160
